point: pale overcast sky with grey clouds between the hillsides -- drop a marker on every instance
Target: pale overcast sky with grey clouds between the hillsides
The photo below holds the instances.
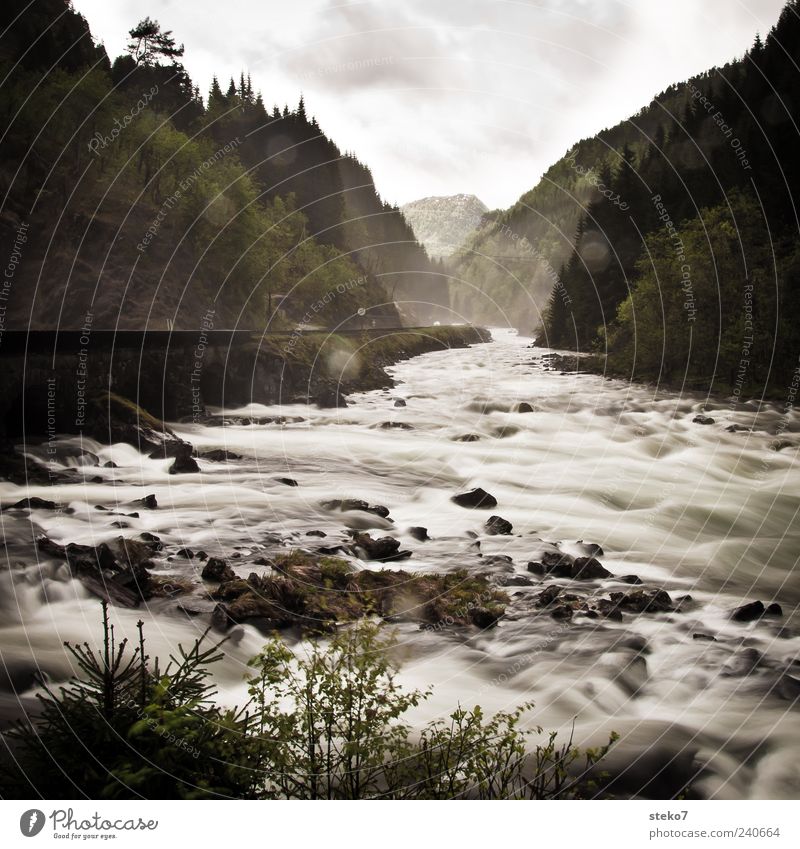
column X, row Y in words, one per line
column 447, row 96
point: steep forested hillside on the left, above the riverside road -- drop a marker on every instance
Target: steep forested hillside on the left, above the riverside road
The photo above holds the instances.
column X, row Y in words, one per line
column 128, row 200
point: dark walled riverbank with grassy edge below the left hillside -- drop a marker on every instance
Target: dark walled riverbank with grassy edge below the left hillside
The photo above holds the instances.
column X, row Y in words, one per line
column 68, row 393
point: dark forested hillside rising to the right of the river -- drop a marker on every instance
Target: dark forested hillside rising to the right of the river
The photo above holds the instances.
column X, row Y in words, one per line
column 671, row 240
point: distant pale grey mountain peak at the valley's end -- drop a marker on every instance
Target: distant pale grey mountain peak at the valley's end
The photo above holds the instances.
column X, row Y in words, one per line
column 443, row 223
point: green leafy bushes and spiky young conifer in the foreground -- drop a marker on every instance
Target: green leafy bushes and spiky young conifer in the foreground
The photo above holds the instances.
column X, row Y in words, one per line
column 327, row 724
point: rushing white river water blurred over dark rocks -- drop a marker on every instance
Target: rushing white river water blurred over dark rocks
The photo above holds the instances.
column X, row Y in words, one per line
column 691, row 508
